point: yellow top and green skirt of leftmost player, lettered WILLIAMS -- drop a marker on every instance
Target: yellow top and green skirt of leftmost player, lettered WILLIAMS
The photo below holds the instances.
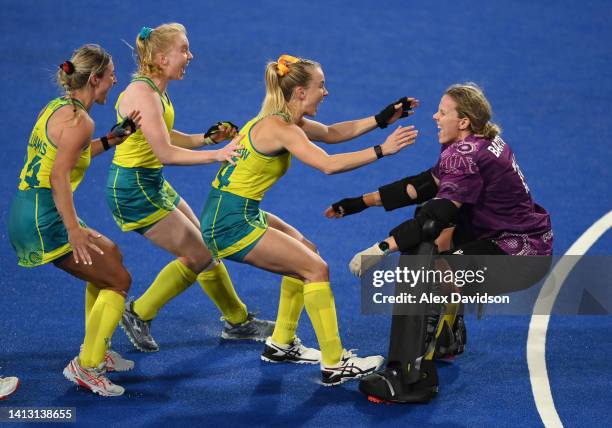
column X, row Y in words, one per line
column 36, row 229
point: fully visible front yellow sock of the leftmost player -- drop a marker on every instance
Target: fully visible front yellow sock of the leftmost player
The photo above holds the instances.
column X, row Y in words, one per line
column 102, row 322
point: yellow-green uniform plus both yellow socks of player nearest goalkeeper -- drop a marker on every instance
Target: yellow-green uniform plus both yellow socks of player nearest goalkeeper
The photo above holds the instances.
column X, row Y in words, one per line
column 232, row 224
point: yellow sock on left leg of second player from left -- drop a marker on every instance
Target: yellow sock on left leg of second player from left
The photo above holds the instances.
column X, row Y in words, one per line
column 171, row 281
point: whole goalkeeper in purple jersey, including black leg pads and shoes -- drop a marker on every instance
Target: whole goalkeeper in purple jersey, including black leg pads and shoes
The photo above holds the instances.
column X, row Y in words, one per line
column 477, row 187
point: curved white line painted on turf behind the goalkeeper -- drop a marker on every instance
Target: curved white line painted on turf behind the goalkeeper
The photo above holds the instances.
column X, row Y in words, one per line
column 536, row 340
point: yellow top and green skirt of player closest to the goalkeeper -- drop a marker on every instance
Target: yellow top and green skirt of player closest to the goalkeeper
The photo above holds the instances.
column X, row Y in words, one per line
column 232, row 222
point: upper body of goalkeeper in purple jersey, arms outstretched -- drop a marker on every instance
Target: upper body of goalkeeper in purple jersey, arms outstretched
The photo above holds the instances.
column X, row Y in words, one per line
column 476, row 185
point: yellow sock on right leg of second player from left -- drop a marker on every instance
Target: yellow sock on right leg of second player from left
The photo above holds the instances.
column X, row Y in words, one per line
column 217, row 284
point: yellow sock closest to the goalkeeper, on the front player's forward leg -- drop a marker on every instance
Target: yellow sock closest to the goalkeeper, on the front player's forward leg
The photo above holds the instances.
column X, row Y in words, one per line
column 319, row 302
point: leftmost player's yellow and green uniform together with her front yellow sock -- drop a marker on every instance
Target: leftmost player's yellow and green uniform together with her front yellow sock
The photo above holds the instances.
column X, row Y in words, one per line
column 39, row 236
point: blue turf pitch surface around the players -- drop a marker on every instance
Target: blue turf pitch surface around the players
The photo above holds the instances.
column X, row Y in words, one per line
column 547, row 69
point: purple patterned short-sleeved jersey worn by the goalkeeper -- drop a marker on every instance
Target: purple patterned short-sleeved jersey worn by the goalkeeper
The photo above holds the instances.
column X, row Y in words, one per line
column 483, row 175
